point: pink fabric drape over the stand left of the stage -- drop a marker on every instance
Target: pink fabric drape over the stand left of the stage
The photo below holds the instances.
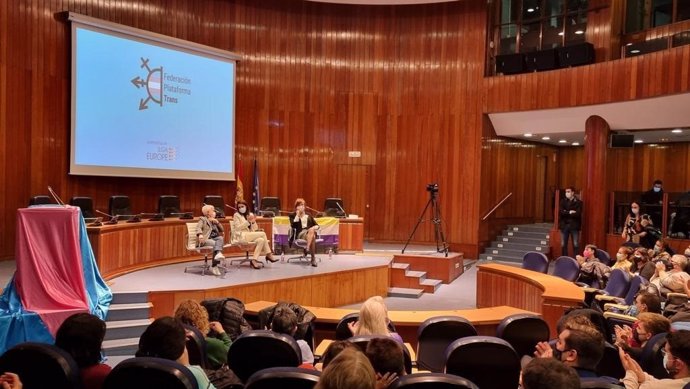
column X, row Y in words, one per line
column 49, row 276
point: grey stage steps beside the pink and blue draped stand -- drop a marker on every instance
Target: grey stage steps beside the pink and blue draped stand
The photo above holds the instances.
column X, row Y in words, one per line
column 128, row 317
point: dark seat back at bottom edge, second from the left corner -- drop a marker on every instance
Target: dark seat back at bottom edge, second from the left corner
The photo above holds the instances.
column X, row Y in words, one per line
column 148, row 373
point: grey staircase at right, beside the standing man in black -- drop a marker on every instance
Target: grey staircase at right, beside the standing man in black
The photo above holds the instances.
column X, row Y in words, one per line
column 516, row 240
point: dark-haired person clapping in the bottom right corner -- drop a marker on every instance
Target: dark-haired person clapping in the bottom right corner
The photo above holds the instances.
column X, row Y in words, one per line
column 676, row 362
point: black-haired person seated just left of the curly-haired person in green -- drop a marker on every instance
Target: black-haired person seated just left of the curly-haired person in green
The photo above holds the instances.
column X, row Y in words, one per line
column 165, row 338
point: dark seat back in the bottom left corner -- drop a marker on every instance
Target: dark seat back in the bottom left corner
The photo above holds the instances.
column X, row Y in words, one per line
column 56, row 368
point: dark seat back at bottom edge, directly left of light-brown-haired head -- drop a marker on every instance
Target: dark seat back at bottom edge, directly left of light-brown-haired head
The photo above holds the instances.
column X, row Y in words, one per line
column 283, row 377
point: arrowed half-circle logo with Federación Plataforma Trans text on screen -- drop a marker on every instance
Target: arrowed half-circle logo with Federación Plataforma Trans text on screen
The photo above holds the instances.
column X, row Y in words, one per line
column 161, row 86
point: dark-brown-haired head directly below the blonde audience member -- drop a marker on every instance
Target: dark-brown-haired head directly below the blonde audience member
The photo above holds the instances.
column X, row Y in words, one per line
column 387, row 358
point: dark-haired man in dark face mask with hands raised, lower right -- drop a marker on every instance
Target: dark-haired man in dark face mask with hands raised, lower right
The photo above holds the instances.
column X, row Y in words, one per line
column 578, row 346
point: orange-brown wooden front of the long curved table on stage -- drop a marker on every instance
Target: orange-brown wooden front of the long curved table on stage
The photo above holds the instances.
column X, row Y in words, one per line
column 125, row 247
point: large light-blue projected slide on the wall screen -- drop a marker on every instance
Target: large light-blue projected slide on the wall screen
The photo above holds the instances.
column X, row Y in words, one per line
column 149, row 110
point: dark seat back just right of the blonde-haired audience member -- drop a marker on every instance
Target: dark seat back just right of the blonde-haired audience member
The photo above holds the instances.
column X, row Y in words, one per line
column 434, row 335
